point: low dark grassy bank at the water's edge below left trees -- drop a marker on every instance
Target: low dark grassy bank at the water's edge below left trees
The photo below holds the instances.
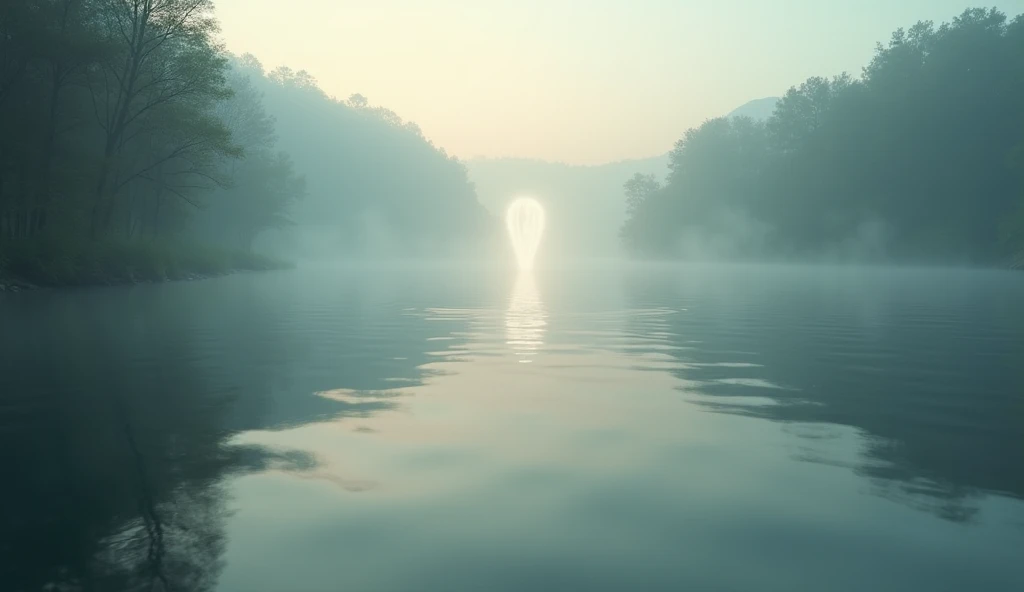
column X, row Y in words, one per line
column 30, row 265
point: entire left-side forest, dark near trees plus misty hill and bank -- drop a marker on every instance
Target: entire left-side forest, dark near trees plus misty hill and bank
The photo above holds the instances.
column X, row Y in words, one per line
column 135, row 147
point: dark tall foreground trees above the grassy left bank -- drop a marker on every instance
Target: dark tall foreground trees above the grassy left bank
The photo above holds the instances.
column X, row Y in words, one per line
column 123, row 119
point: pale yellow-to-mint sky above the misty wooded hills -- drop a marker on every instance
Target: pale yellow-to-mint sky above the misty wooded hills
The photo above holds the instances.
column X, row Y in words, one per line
column 577, row 81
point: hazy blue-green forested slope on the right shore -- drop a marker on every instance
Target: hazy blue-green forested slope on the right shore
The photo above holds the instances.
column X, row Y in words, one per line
column 919, row 160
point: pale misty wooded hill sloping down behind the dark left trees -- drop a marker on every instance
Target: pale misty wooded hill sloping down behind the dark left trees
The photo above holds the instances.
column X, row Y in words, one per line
column 376, row 186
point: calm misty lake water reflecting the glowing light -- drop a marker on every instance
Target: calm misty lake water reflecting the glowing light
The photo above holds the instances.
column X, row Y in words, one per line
column 659, row 429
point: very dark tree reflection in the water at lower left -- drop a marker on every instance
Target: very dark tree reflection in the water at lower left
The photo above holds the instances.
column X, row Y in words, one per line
column 118, row 440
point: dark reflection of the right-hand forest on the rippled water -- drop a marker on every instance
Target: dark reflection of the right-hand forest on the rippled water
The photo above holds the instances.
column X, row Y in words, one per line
column 922, row 366
